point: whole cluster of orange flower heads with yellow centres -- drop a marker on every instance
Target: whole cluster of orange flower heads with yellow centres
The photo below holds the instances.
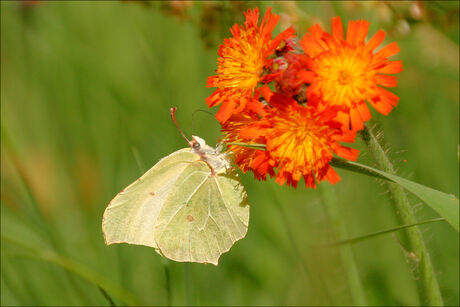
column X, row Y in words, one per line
column 299, row 100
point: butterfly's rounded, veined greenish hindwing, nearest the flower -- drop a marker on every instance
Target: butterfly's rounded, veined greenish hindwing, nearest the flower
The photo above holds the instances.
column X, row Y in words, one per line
column 203, row 215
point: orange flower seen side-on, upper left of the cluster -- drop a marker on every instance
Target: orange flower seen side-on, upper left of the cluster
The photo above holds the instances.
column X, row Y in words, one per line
column 241, row 63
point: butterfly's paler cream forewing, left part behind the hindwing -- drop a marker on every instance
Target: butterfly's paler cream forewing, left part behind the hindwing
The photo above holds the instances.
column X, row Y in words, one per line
column 132, row 215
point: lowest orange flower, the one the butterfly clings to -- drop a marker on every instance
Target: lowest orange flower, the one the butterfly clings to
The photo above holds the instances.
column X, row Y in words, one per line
column 300, row 142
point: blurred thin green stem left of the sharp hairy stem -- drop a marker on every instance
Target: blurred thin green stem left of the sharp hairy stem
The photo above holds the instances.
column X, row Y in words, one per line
column 346, row 252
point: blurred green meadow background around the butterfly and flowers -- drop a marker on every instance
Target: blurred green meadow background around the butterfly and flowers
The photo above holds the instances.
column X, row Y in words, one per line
column 86, row 88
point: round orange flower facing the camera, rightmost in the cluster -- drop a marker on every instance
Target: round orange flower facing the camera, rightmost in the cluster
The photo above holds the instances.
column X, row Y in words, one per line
column 347, row 72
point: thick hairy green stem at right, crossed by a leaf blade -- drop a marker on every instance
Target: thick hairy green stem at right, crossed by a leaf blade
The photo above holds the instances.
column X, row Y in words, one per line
column 427, row 283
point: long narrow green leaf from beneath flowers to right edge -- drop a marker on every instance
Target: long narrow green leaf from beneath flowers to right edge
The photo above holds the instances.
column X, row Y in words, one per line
column 445, row 205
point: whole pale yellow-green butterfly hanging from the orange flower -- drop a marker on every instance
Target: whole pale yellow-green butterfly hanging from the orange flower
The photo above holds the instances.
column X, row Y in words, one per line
column 190, row 206
